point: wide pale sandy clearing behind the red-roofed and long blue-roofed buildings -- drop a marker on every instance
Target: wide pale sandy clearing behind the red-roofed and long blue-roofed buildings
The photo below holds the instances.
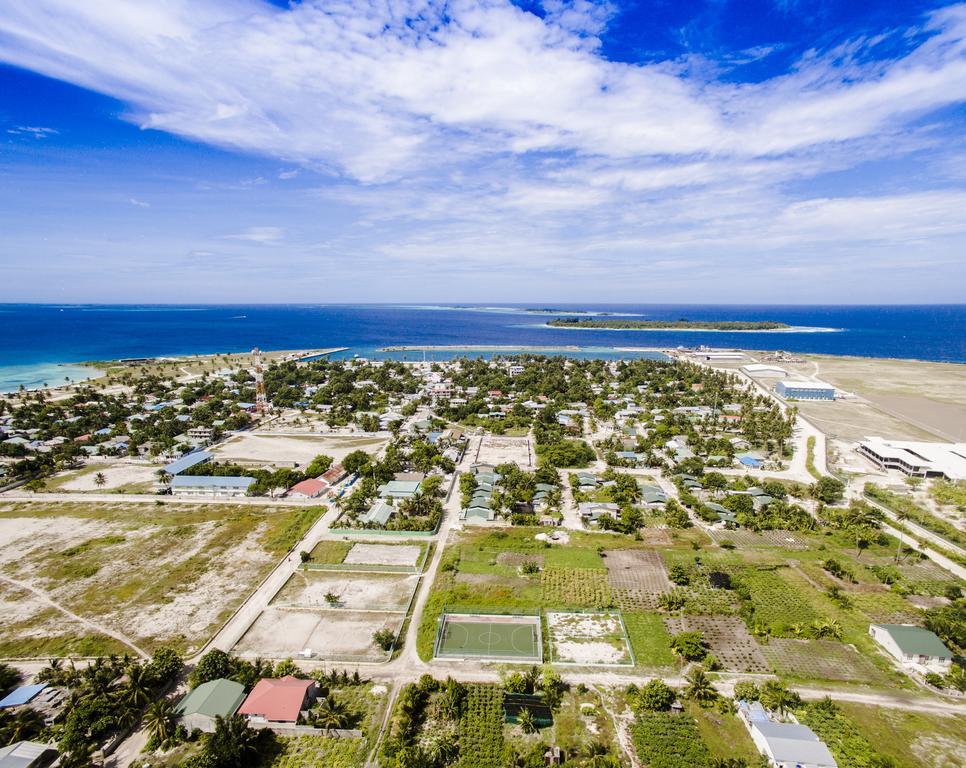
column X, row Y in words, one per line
column 268, row 448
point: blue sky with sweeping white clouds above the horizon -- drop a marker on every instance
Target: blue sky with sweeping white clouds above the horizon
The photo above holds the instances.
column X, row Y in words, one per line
column 240, row 150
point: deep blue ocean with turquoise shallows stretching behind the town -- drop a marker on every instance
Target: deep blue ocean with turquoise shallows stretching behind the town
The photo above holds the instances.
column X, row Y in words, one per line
column 35, row 339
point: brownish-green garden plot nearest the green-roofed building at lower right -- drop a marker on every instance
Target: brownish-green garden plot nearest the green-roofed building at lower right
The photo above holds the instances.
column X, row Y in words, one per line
column 822, row 660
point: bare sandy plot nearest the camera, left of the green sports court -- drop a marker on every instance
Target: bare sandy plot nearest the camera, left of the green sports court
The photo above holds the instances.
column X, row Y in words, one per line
column 281, row 633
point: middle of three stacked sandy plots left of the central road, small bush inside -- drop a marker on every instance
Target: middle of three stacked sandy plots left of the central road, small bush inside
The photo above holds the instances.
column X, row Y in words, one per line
column 347, row 589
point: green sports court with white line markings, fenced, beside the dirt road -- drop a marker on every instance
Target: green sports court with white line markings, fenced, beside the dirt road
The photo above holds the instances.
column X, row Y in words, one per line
column 489, row 637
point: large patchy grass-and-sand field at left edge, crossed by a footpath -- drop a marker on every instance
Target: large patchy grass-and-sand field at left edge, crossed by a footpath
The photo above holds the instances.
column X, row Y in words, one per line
column 156, row 575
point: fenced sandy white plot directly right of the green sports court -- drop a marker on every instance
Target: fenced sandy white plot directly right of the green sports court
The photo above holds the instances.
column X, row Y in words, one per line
column 590, row 639
